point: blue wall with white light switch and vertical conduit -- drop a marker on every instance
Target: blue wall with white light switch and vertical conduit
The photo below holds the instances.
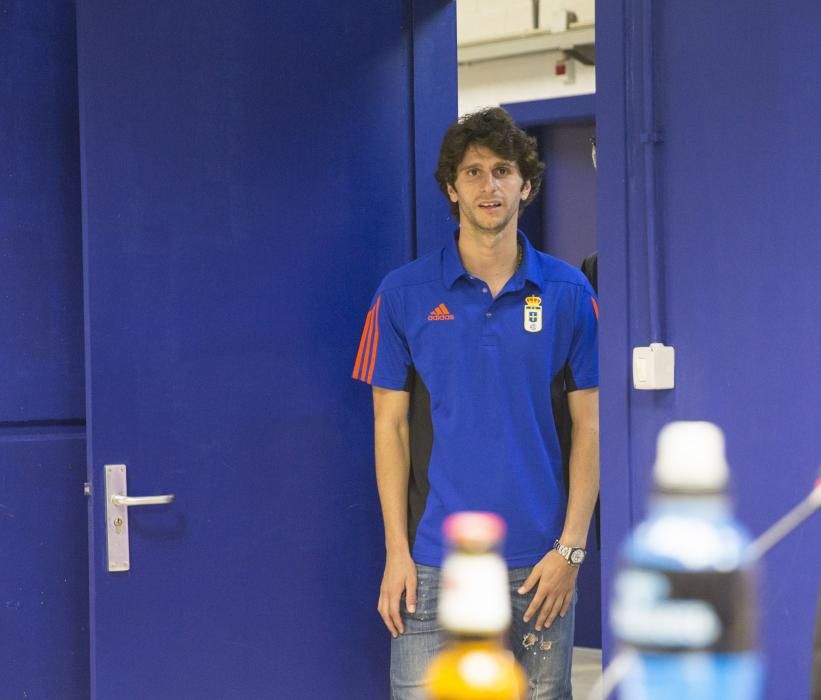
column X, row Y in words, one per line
column 737, row 178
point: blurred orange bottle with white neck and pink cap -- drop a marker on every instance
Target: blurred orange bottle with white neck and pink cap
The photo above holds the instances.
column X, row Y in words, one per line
column 474, row 610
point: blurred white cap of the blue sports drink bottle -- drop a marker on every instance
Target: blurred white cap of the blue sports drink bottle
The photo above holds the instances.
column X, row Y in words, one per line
column 690, row 457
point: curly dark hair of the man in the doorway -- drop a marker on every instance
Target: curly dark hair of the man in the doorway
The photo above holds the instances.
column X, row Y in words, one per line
column 495, row 129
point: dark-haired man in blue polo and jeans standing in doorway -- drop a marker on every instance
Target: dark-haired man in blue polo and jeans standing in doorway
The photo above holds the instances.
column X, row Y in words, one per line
column 488, row 324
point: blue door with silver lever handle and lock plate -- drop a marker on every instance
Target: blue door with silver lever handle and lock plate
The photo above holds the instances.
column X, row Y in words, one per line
column 248, row 175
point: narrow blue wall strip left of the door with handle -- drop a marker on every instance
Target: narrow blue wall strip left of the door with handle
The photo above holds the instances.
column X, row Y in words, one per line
column 43, row 579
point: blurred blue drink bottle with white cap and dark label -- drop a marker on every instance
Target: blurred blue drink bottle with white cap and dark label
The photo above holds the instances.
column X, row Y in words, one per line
column 685, row 597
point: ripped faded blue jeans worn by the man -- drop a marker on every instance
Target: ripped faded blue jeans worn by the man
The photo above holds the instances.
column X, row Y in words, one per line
column 546, row 656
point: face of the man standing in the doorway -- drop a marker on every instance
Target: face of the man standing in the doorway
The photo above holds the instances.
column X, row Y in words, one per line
column 488, row 190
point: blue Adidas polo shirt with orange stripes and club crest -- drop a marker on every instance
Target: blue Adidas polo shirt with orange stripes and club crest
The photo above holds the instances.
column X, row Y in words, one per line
column 488, row 365
